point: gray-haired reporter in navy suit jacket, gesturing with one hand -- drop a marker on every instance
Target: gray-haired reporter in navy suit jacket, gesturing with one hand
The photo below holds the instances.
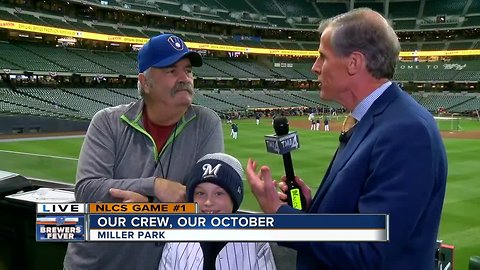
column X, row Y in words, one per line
column 394, row 161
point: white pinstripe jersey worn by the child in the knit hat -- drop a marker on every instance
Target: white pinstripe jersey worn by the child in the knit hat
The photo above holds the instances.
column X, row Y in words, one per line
column 234, row 256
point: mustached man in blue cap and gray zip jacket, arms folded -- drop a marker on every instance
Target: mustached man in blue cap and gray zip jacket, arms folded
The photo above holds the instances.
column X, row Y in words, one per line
column 147, row 147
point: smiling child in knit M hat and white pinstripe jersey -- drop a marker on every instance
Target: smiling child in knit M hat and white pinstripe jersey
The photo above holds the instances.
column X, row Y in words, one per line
column 215, row 183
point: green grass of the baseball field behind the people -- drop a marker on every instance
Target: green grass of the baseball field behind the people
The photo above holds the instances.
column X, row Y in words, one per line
column 460, row 224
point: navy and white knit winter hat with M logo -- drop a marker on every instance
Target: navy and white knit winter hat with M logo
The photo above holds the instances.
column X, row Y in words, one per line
column 219, row 169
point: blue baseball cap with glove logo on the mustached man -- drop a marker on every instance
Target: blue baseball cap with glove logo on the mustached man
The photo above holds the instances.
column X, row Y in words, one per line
column 165, row 50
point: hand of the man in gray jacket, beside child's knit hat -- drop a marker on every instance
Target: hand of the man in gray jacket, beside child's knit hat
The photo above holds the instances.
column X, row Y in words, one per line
column 169, row 191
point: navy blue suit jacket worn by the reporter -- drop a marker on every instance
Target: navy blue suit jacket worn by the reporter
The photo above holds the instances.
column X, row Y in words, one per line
column 394, row 163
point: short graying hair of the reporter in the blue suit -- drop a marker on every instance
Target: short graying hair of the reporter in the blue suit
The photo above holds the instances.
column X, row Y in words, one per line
column 357, row 31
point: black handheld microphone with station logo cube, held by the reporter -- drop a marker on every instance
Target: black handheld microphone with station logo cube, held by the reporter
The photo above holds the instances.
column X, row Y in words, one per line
column 282, row 143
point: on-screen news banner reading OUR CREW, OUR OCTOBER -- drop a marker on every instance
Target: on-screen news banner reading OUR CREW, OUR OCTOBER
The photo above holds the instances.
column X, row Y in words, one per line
column 182, row 222
